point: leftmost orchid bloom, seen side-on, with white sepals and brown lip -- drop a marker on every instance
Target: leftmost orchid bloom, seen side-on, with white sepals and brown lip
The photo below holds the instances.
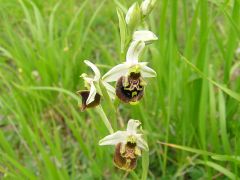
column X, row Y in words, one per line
column 91, row 97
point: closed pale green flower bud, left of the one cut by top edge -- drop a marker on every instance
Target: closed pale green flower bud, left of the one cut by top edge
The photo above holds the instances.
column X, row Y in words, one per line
column 133, row 16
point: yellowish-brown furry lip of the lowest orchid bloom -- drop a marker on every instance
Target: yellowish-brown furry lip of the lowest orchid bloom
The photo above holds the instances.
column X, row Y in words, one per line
column 127, row 159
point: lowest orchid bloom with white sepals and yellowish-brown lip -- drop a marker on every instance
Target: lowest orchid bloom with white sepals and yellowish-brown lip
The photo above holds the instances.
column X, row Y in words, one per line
column 129, row 145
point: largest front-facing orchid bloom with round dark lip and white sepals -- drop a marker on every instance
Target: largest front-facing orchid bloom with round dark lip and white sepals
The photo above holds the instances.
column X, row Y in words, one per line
column 130, row 74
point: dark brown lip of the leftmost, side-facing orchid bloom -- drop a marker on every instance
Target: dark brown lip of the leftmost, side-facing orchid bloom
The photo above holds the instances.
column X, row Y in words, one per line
column 84, row 94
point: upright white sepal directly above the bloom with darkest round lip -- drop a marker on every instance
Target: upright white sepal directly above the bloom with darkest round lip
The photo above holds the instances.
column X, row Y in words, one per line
column 134, row 51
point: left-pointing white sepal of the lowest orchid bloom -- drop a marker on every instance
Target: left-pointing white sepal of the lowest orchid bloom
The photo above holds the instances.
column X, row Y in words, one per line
column 114, row 139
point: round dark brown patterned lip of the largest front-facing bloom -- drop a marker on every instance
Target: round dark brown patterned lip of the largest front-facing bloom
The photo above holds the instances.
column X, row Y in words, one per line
column 130, row 89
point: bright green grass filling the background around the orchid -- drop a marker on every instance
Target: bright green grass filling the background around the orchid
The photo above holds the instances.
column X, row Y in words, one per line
column 190, row 112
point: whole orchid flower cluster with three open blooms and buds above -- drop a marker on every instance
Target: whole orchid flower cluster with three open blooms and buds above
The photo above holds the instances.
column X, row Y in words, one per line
column 130, row 77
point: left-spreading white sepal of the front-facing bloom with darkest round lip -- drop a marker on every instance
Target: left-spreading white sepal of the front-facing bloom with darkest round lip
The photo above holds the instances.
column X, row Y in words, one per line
column 116, row 72
